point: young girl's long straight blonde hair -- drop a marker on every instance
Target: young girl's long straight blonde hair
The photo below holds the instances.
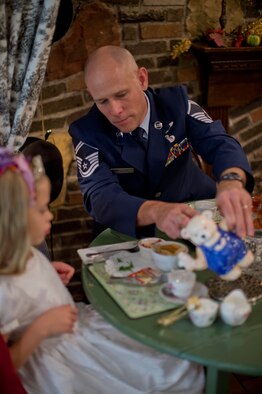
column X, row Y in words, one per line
column 14, row 236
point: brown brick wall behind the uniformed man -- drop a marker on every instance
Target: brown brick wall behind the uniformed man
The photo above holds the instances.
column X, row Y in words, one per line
column 148, row 30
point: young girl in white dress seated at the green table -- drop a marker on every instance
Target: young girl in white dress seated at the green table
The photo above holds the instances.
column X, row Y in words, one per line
column 57, row 346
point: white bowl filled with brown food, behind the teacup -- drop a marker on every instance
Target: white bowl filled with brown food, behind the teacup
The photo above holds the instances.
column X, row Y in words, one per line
column 164, row 254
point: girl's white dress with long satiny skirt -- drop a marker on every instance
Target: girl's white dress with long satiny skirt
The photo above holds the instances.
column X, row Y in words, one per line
column 97, row 358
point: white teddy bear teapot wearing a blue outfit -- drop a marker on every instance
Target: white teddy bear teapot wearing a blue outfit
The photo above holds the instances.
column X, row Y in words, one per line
column 219, row 250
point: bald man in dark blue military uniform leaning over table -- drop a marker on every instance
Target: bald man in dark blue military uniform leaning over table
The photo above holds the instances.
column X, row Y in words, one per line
column 134, row 155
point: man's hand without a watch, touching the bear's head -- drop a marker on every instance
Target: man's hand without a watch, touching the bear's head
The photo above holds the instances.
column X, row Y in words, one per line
column 168, row 217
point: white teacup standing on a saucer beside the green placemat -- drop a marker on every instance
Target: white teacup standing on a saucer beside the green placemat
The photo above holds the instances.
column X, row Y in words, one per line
column 181, row 282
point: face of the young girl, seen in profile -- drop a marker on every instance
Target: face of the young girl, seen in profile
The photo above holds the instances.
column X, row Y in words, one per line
column 39, row 216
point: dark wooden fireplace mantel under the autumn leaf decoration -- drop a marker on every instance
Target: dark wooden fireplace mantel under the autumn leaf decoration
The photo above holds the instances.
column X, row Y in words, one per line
column 228, row 77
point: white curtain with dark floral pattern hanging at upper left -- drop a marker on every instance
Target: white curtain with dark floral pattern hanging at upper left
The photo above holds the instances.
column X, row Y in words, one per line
column 26, row 32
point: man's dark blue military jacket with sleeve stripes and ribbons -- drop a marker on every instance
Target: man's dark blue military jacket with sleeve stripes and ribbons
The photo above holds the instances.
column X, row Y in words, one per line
column 116, row 175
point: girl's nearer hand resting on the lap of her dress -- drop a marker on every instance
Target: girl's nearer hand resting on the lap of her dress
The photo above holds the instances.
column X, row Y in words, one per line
column 57, row 320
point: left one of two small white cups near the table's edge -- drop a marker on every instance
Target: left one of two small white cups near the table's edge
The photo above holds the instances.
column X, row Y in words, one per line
column 205, row 314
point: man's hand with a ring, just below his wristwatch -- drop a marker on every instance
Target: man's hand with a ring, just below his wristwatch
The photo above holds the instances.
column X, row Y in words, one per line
column 235, row 204
